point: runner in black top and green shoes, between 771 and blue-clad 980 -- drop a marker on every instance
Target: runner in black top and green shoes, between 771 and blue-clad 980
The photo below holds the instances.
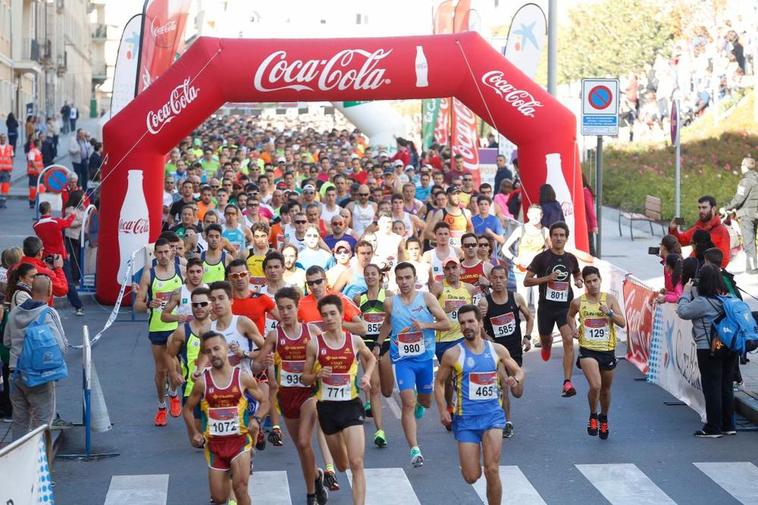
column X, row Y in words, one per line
column 371, row 303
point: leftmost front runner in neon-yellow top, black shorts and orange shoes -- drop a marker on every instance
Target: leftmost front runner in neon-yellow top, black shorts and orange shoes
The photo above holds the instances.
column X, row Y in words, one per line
column 155, row 289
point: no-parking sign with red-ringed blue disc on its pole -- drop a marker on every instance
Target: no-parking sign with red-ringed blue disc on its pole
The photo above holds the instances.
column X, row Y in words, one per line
column 600, row 106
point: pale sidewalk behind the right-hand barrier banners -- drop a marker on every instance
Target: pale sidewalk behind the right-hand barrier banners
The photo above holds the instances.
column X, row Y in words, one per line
column 631, row 255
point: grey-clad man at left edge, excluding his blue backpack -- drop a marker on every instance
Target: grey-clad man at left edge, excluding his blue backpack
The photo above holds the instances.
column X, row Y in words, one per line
column 32, row 406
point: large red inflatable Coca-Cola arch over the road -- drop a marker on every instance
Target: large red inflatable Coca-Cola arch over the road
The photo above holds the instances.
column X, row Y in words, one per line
column 216, row 71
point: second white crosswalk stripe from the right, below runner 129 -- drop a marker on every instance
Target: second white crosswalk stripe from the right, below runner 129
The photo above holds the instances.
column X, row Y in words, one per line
column 624, row 484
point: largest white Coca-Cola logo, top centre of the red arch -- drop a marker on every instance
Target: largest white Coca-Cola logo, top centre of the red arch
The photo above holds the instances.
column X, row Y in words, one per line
column 355, row 69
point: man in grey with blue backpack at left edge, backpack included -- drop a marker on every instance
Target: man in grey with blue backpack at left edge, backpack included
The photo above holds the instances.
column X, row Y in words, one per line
column 34, row 334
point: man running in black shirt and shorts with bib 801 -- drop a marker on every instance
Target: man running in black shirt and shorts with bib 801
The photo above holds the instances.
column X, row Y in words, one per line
column 551, row 271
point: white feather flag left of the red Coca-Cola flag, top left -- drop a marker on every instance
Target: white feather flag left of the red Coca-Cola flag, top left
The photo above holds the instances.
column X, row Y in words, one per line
column 125, row 72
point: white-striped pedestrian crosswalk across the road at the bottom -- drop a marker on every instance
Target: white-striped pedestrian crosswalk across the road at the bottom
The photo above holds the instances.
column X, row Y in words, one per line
column 619, row 484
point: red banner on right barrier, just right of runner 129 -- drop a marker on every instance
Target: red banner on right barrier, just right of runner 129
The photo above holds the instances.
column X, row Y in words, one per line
column 639, row 311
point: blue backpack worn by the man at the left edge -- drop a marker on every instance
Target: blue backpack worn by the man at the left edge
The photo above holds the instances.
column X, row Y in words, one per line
column 41, row 359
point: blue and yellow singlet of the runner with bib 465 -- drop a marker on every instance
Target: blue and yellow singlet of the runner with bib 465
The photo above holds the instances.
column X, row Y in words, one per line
column 475, row 381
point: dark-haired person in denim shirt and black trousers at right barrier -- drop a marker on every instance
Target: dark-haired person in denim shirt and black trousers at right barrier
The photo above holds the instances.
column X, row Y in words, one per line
column 715, row 362
